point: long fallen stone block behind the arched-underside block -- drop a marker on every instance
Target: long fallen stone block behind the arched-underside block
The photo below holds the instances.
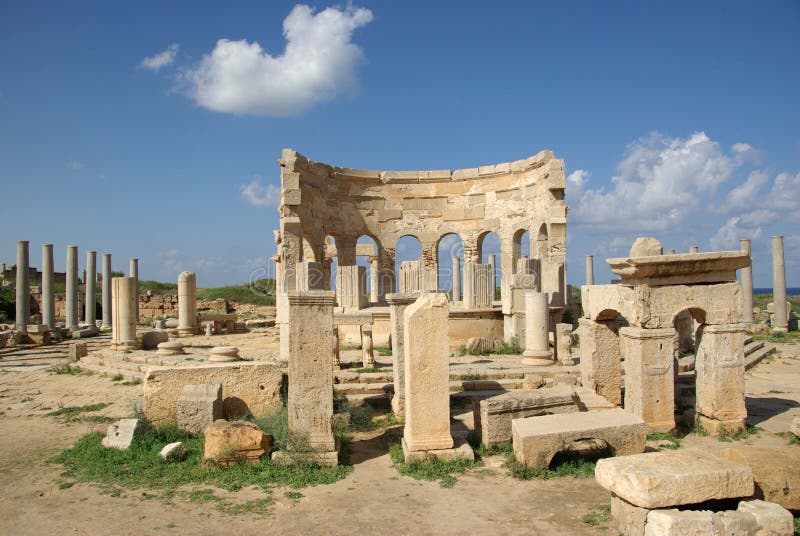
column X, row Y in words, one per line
column 493, row 415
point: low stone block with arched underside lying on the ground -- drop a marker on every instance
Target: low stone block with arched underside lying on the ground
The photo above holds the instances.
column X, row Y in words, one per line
column 537, row 439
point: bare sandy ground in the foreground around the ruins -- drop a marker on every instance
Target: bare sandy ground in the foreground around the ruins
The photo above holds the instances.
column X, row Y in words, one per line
column 374, row 498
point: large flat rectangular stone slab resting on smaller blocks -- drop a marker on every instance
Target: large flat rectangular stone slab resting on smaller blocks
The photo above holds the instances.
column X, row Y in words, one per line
column 671, row 478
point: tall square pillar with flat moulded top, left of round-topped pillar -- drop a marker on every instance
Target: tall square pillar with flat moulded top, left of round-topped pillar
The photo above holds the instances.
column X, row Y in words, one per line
column 310, row 397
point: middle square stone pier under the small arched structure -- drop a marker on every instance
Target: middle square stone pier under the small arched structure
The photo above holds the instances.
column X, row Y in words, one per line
column 649, row 356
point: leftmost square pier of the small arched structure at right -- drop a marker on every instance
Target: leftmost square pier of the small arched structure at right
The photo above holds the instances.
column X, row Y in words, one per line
column 600, row 358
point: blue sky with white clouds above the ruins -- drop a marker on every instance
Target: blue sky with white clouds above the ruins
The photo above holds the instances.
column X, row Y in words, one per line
column 128, row 128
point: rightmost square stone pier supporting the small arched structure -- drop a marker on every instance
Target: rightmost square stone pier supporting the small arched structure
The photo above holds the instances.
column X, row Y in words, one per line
column 719, row 366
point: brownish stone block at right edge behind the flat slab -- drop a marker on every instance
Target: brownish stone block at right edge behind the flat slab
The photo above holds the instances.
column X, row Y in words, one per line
column 776, row 473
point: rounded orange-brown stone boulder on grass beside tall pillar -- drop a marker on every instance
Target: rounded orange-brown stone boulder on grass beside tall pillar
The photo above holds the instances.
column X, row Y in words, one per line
column 236, row 441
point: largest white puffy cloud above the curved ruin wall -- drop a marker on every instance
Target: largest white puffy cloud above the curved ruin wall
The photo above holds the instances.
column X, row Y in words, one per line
column 318, row 64
